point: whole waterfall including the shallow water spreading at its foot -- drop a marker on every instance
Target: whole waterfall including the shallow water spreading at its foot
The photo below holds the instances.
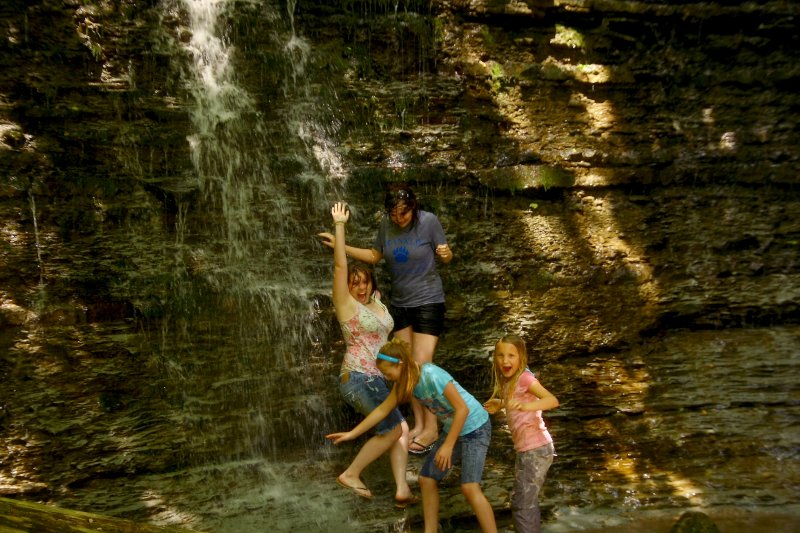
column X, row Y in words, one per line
column 244, row 352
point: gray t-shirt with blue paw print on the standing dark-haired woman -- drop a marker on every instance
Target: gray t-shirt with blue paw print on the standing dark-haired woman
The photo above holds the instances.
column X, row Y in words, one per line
column 410, row 256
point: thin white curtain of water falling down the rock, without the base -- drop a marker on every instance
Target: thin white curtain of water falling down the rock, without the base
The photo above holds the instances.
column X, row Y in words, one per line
column 247, row 276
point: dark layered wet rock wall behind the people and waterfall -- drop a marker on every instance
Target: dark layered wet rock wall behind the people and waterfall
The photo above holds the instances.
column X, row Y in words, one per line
column 618, row 181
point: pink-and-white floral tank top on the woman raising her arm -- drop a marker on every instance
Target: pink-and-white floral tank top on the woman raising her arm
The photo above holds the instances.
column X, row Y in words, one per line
column 364, row 334
